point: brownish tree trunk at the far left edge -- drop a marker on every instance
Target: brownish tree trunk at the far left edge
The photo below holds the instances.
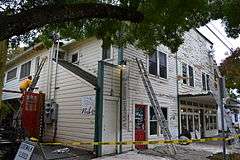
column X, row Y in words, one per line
column 3, row 59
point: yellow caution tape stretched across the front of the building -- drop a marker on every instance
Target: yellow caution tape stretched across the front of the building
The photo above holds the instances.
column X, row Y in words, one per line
column 78, row 143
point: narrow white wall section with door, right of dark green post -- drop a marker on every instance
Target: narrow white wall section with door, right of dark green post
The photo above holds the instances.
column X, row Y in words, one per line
column 111, row 95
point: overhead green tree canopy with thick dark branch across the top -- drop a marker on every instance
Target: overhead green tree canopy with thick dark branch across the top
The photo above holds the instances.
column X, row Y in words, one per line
column 165, row 21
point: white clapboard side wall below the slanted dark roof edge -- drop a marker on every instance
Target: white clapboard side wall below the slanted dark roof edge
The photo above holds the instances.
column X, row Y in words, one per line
column 72, row 124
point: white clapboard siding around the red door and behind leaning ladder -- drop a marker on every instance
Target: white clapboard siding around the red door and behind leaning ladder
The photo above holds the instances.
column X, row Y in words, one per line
column 165, row 90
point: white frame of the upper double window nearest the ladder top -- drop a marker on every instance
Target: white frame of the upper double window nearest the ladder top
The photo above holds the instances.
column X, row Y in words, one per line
column 158, row 63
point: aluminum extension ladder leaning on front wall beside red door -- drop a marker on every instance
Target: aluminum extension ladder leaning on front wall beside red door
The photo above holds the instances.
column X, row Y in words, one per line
column 157, row 109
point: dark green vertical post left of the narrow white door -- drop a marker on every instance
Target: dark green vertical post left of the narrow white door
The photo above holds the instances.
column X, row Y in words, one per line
column 99, row 109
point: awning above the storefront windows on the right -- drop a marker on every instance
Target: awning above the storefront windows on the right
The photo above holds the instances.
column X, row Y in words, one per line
column 203, row 98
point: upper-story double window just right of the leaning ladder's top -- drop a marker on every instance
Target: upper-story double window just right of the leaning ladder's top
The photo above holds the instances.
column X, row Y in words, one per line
column 158, row 64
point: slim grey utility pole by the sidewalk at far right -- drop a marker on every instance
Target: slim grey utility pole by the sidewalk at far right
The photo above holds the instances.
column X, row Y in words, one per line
column 222, row 95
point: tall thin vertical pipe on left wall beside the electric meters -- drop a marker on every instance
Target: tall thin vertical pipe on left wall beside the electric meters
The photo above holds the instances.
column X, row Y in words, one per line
column 55, row 93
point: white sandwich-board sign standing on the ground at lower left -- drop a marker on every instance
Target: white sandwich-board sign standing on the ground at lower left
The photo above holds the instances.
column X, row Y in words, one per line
column 24, row 152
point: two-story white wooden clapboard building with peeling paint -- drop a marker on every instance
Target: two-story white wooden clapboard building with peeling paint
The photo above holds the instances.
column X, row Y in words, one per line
column 93, row 86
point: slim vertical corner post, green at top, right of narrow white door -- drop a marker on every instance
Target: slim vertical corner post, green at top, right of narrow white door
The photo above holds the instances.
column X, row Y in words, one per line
column 120, row 61
